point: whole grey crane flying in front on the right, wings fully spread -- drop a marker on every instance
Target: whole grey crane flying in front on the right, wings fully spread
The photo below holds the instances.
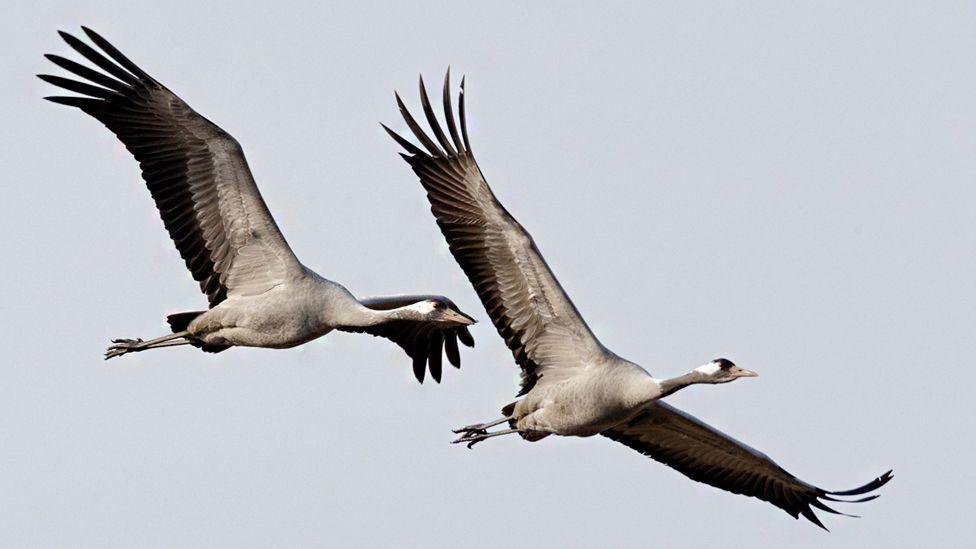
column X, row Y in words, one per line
column 571, row 384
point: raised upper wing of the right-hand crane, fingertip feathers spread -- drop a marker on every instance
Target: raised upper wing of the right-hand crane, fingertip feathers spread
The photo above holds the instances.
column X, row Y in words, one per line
column 529, row 308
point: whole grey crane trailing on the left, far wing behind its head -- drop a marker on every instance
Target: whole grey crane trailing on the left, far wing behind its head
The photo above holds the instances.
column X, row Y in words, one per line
column 260, row 294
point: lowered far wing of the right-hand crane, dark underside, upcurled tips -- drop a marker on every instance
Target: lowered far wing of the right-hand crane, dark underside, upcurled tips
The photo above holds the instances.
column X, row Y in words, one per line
column 707, row 455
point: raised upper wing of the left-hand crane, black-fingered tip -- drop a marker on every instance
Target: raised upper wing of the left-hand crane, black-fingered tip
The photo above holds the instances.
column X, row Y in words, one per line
column 195, row 171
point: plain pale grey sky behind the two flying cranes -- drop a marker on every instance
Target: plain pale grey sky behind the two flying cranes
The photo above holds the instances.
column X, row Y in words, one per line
column 787, row 185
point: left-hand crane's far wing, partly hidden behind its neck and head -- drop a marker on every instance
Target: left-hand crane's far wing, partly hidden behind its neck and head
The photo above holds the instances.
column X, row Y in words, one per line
column 423, row 341
